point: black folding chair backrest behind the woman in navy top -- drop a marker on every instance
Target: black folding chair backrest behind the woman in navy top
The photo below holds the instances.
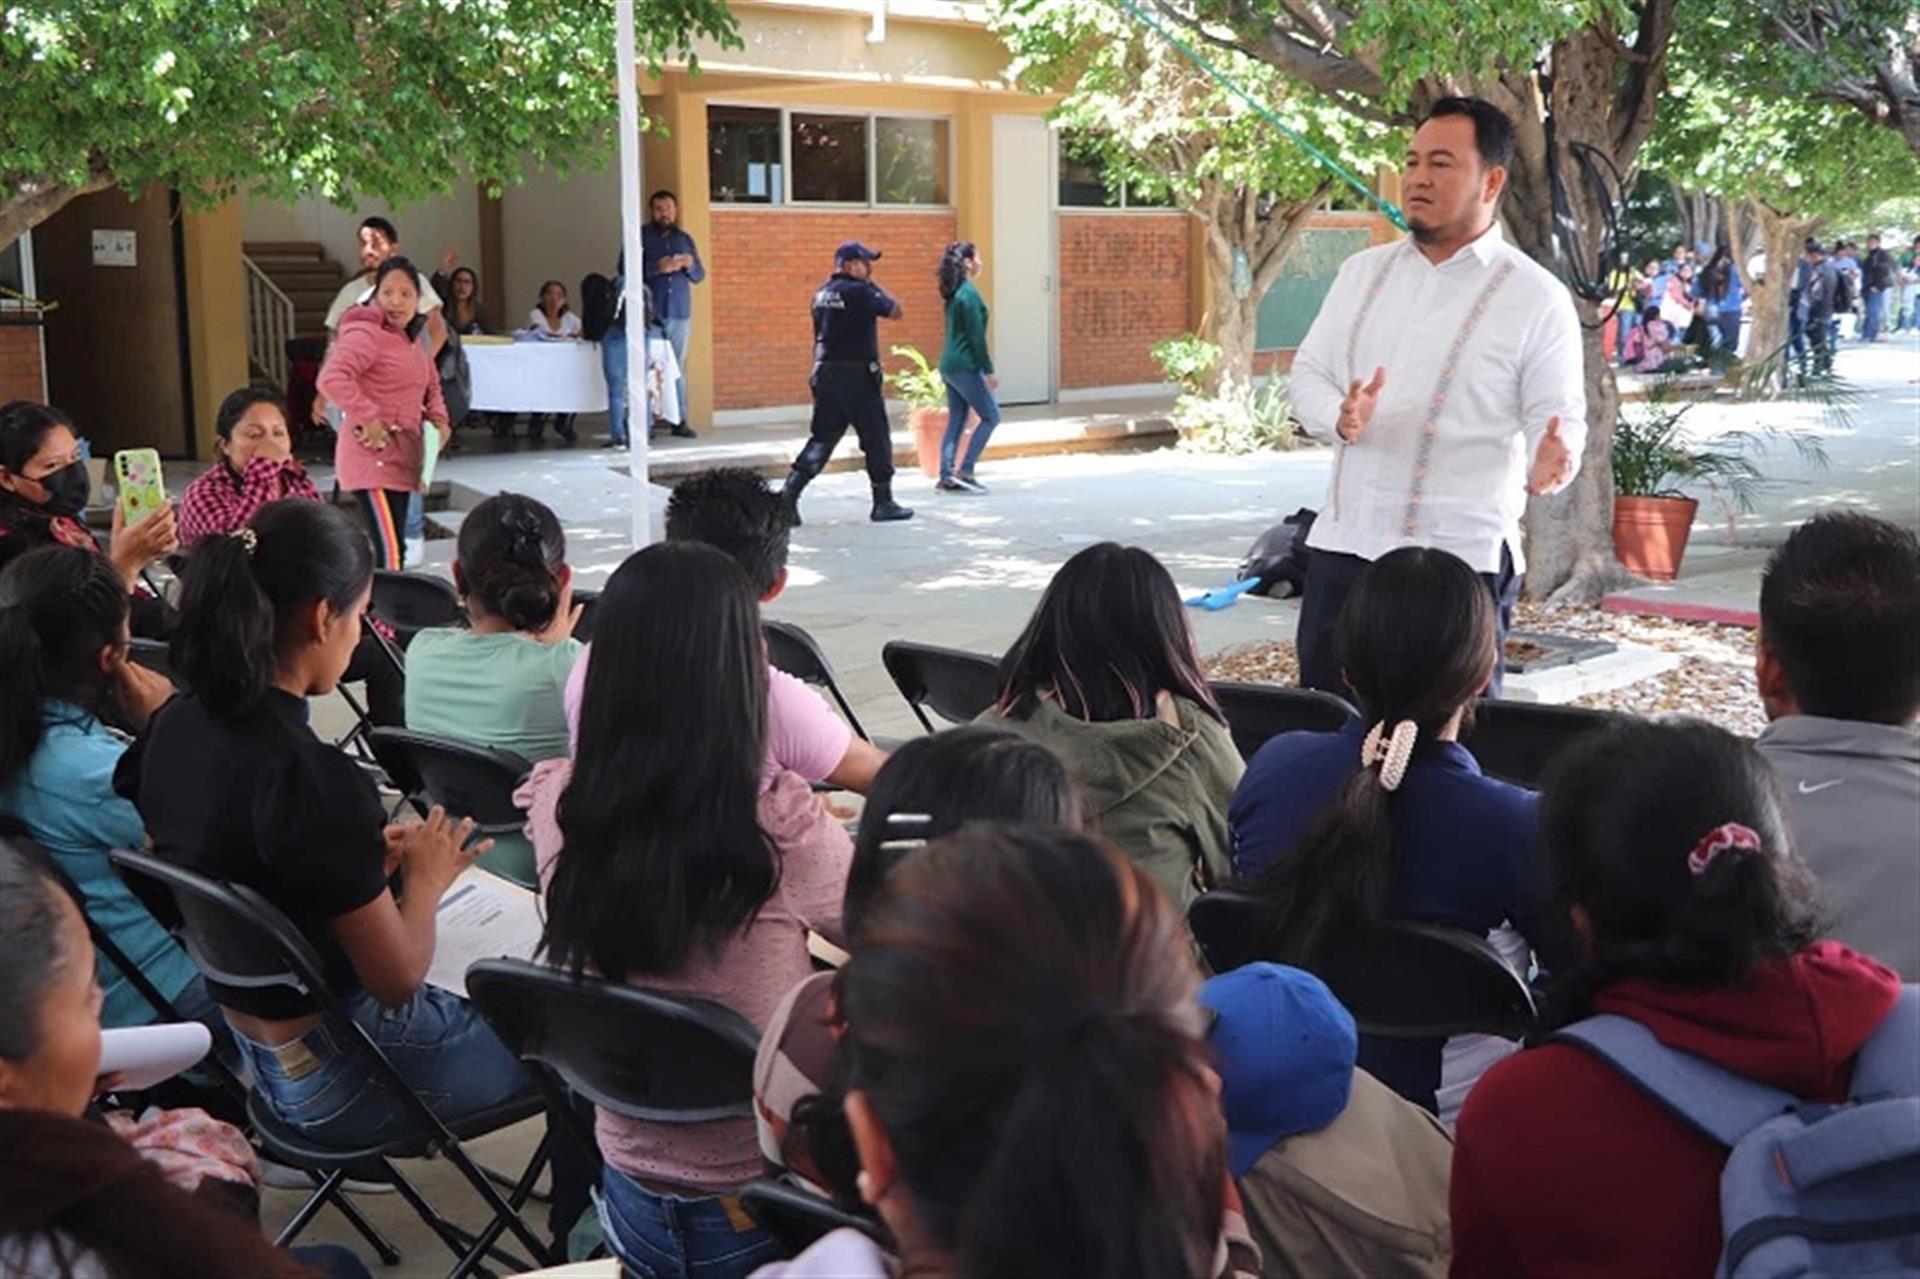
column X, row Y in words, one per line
column 1403, row 980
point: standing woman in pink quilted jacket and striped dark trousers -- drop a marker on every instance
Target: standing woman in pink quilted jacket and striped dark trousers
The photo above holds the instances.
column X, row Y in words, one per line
column 383, row 379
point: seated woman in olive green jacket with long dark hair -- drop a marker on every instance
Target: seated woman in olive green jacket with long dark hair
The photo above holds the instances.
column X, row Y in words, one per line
column 1107, row 677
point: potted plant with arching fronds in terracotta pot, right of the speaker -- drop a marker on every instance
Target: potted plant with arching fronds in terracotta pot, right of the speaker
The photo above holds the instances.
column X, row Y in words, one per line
column 1654, row 458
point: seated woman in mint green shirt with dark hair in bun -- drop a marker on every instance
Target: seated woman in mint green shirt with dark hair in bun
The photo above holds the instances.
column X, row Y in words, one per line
column 500, row 683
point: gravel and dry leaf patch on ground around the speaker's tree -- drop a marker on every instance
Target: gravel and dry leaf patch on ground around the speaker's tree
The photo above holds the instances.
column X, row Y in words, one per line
column 1712, row 683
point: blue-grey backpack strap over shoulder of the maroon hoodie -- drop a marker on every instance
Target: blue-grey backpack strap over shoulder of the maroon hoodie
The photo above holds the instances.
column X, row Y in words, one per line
column 1714, row 1099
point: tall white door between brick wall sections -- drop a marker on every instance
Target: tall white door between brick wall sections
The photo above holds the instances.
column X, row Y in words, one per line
column 1022, row 260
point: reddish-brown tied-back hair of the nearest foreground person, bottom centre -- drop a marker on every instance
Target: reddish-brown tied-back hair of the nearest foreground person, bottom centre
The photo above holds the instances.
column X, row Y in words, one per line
column 1020, row 1017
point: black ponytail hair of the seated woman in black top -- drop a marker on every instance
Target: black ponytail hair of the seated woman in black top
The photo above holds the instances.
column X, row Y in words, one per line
column 241, row 591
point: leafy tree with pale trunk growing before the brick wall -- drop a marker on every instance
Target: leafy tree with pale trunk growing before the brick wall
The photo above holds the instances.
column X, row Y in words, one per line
column 1163, row 128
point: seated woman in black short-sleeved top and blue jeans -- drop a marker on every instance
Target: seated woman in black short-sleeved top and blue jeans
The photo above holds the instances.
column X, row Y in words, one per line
column 233, row 784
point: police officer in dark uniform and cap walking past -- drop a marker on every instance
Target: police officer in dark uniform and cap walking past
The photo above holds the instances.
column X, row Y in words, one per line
column 848, row 381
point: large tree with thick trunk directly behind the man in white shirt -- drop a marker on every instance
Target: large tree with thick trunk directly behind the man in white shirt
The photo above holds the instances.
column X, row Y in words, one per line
column 1598, row 68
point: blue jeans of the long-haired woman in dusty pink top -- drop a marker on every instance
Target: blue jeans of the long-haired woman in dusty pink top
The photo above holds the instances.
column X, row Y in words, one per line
column 671, row 1238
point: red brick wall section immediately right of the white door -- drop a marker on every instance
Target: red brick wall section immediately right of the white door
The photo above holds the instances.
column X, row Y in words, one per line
column 1122, row 289
